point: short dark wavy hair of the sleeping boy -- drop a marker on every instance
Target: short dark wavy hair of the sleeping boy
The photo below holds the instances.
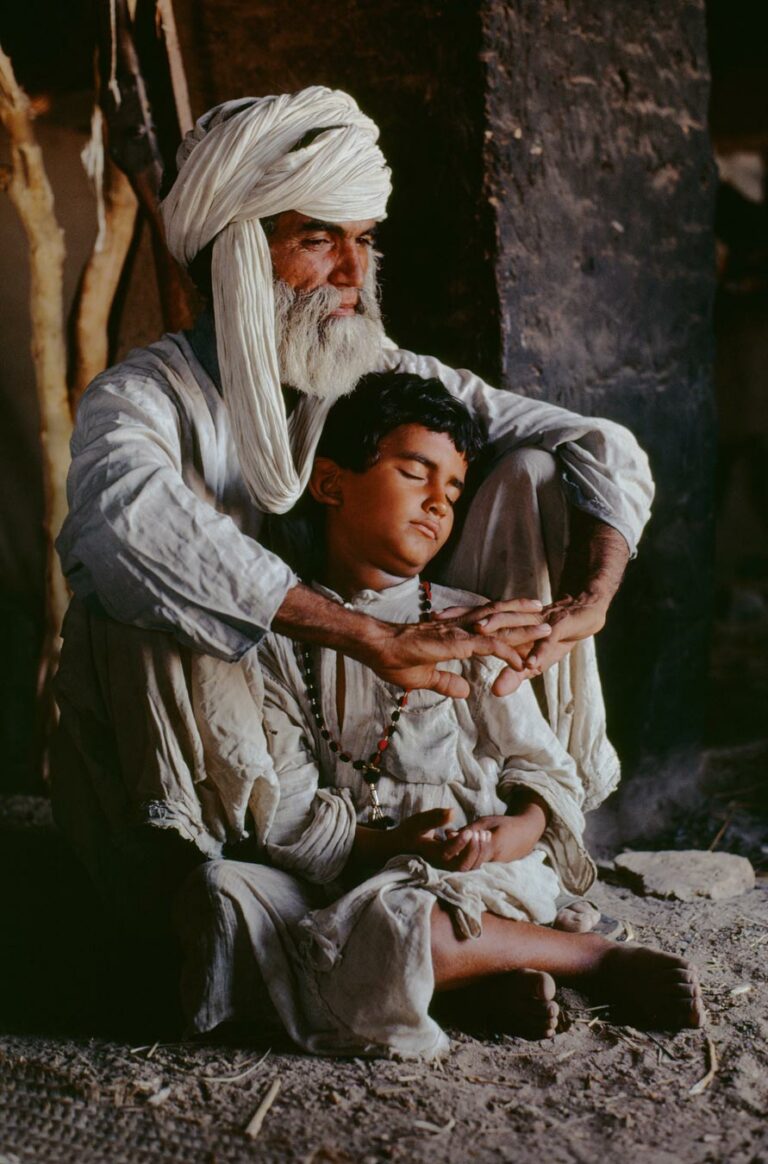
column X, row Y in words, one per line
column 382, row 402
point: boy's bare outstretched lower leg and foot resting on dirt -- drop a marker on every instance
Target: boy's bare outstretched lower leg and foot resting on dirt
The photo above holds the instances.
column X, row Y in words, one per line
column 646, row 986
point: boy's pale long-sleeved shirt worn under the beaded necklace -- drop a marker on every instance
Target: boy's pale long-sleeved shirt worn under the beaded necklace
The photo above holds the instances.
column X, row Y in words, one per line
column 466, row 755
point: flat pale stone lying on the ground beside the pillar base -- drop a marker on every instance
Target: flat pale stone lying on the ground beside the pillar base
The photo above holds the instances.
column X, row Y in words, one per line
column 687, row 876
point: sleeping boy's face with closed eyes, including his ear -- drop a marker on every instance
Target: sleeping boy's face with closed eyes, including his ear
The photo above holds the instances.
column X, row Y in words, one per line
column 397, row 515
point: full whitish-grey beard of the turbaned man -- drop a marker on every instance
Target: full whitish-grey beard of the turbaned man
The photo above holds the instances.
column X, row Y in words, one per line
column 324, row 356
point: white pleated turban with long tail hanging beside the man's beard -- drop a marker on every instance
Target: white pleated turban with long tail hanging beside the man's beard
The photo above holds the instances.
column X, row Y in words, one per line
column 239, row 165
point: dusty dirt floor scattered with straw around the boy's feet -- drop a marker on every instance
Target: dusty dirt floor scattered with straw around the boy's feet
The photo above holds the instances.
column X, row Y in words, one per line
column 595, row 1092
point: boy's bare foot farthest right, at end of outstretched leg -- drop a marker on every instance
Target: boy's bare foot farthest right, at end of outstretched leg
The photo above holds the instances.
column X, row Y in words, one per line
column 649, row 989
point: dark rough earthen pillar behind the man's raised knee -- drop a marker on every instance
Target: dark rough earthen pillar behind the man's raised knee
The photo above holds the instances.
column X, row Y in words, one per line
column 600, row 171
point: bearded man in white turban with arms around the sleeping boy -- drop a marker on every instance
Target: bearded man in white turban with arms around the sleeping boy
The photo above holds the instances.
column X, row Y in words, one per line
column 183, row 452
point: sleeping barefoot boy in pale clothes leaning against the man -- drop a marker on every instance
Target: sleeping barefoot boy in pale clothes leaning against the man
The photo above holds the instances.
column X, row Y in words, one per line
column 443, row 829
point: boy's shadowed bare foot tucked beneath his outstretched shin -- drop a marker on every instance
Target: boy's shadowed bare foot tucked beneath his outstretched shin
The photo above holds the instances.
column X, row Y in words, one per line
column 520, row 1003
